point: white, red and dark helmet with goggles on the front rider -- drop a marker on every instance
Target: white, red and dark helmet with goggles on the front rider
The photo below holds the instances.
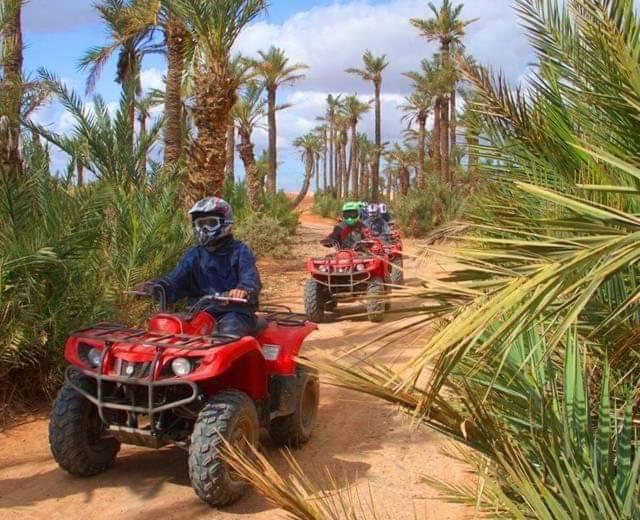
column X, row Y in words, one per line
column 212, row 220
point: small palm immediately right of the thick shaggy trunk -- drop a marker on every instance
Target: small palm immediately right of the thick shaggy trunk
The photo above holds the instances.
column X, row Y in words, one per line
column 246, row 113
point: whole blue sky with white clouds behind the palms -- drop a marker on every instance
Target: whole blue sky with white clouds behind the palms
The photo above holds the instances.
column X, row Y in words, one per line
column 327, row 35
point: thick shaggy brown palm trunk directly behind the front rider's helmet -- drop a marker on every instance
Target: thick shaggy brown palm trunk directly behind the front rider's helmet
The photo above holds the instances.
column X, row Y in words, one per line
column 214, row 96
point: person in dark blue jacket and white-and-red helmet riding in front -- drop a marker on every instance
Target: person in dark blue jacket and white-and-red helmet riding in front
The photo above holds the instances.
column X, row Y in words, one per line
column 219, row 264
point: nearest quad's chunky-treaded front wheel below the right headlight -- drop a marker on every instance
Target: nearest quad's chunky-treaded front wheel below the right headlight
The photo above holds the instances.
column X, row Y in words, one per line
column 232, row 416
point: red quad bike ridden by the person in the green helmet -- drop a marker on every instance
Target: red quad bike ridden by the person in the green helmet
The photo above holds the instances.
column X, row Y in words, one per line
column 363, row 270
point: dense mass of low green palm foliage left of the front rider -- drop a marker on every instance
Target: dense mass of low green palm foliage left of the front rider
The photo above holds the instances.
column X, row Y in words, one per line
column 68, row 255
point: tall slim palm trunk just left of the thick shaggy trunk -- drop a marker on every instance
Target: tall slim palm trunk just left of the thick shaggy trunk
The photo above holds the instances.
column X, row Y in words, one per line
column 175, row 35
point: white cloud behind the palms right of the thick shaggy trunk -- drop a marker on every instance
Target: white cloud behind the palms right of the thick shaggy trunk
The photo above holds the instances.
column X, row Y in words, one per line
column 332, row 38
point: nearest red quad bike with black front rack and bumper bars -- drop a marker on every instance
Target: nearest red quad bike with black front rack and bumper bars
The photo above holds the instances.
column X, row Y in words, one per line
column 174, row 383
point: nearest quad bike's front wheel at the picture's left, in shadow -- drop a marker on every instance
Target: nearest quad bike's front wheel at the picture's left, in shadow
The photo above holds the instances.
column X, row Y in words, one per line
column 76, row 434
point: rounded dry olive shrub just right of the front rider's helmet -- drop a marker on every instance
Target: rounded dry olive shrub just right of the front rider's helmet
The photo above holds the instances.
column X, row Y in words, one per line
column 264, row 234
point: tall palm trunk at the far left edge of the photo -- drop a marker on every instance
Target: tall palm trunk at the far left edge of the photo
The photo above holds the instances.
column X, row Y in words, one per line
column 11, row 91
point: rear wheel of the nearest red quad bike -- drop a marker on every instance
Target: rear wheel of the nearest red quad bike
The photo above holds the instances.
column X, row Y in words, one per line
column 295, row 429
